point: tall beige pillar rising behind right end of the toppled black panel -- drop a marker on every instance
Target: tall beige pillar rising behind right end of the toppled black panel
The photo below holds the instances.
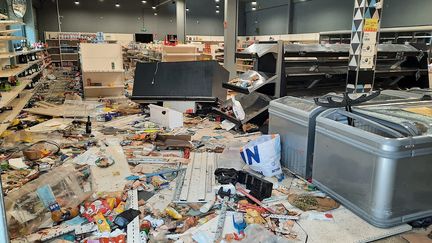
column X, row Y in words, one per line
column 230, row 36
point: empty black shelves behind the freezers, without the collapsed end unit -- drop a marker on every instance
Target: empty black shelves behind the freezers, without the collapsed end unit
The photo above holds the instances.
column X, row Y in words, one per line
column 318, row 69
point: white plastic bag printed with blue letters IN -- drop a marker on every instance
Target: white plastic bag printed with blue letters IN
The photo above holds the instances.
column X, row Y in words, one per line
column 263, row 155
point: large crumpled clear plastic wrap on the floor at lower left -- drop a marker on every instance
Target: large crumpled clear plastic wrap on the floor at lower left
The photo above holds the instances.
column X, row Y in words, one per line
column 26, row 212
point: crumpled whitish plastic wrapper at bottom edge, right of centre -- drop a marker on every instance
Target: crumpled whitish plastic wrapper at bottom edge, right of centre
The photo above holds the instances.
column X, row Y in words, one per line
column 257, row 233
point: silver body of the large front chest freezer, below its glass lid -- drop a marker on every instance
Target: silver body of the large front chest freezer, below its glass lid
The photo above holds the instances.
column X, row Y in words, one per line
column 385, row 181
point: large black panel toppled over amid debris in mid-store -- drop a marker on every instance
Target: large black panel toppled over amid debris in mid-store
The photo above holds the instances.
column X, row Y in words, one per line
column 199, row 81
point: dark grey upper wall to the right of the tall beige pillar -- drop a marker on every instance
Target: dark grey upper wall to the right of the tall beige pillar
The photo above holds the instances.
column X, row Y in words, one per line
column 311, row 16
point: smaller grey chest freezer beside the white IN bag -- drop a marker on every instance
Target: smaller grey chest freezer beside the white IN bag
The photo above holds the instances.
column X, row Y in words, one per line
column 294, row 120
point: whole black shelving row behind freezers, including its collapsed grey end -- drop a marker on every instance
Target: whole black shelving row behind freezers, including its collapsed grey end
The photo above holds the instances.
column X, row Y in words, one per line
column 308, row 70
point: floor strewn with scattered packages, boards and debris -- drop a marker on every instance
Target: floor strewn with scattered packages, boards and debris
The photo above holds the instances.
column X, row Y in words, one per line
column 123, row 178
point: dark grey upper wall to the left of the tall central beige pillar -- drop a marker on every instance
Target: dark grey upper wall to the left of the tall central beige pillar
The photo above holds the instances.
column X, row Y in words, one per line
column 131, row 17
